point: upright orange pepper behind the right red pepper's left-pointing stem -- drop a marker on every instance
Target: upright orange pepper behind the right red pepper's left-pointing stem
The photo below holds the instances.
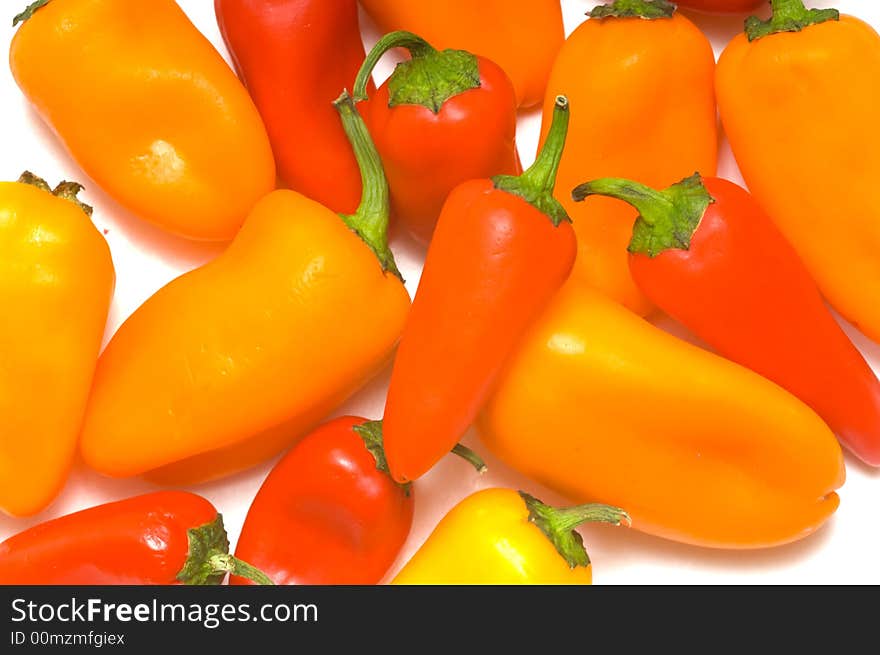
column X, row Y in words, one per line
column 657, row 123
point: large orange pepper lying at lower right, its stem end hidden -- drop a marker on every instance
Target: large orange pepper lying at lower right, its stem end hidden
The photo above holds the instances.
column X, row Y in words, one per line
column 601, row 406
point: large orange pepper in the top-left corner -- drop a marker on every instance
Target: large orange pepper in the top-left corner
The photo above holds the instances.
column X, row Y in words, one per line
column 148, row 108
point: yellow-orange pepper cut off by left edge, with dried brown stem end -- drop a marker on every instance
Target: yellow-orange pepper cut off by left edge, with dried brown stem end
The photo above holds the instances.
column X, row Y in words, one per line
column 56, row 282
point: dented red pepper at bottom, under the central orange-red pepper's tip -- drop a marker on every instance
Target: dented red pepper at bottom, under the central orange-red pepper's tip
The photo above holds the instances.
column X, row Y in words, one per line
column 329, row 513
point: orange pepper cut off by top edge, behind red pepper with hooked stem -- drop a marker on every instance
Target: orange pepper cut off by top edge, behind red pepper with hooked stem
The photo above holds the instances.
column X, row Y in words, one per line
column 521, row 36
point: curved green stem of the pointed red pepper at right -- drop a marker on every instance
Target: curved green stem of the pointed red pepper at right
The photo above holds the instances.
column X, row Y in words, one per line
column 667, row 219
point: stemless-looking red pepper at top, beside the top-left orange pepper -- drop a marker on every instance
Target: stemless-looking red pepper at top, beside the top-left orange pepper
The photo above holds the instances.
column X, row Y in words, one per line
column 294, row 56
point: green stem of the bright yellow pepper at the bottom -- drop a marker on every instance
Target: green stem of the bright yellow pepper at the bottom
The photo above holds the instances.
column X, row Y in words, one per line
column 559, row 525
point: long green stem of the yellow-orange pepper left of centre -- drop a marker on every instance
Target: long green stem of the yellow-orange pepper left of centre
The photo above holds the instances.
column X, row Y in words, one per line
column 370, row 221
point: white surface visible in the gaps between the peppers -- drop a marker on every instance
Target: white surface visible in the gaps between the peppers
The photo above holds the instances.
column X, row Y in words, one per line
column 845, row 551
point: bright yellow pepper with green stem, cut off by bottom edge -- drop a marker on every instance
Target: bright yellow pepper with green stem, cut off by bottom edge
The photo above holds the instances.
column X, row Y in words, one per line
column 502, row 537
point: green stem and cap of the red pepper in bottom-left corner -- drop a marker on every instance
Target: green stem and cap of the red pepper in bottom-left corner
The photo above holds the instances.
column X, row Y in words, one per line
column 209, row 561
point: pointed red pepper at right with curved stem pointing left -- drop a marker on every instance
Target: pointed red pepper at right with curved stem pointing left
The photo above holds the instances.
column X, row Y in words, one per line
column 706, row 254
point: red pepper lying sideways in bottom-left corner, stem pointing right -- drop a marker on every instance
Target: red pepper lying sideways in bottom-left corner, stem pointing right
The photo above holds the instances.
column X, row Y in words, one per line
column 167, row 537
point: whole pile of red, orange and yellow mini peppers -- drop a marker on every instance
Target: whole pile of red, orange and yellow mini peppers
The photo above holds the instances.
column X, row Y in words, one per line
column 528, row 323
